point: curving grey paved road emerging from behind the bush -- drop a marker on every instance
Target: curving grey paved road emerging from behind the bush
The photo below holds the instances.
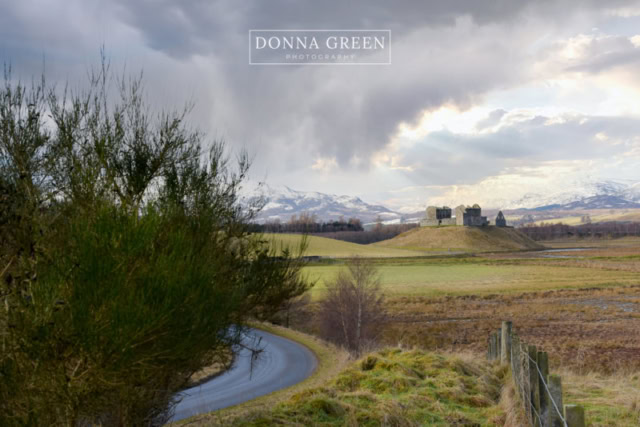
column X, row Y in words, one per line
column 281, row 364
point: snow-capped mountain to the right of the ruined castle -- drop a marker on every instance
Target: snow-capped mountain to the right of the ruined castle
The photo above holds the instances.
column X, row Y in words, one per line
column 610, row 194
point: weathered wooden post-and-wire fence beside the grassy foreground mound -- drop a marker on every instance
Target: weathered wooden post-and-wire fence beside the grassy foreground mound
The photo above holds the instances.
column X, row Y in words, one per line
column 539, row 392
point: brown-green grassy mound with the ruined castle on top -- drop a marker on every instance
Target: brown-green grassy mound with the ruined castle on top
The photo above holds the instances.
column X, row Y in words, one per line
column 463, row 239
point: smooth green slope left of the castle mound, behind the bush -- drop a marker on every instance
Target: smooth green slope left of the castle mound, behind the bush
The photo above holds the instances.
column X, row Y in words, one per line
column 321, row 246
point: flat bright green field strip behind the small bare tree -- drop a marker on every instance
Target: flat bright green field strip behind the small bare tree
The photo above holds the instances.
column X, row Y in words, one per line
column 431, row 279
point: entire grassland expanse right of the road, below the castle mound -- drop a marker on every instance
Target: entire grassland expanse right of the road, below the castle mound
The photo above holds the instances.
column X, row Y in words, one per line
column 583, row 307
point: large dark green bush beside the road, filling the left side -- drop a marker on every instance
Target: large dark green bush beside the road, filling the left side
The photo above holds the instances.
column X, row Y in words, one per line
column 125, row 256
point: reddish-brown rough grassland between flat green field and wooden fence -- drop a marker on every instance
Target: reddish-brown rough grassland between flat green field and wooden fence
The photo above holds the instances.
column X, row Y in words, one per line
column 595, row 328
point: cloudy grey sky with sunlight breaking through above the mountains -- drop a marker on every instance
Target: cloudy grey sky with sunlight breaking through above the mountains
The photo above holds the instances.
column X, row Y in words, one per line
column 484, row 101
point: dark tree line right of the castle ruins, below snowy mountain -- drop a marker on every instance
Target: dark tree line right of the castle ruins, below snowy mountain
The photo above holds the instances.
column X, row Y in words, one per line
column 613, row 229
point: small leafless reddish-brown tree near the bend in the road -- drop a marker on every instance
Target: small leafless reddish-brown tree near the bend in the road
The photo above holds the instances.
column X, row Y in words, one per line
column 353, row 314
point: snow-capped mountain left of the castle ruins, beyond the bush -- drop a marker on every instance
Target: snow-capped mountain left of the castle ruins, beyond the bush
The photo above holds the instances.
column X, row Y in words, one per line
column 283, row 202
